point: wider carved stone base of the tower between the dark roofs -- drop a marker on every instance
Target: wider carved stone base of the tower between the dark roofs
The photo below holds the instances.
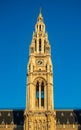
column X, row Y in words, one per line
column 40, row 120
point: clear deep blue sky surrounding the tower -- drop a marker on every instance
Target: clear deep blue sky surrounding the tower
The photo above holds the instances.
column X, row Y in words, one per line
column 63, row 24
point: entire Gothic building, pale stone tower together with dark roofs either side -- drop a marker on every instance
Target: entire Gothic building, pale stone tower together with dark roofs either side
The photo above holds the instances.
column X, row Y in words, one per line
column 39, row 113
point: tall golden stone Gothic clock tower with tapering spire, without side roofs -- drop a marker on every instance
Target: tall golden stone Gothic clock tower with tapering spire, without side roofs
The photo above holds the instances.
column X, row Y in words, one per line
column 39, row 112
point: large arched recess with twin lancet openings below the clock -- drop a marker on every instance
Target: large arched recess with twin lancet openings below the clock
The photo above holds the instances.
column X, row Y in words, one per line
column 40, row 88
